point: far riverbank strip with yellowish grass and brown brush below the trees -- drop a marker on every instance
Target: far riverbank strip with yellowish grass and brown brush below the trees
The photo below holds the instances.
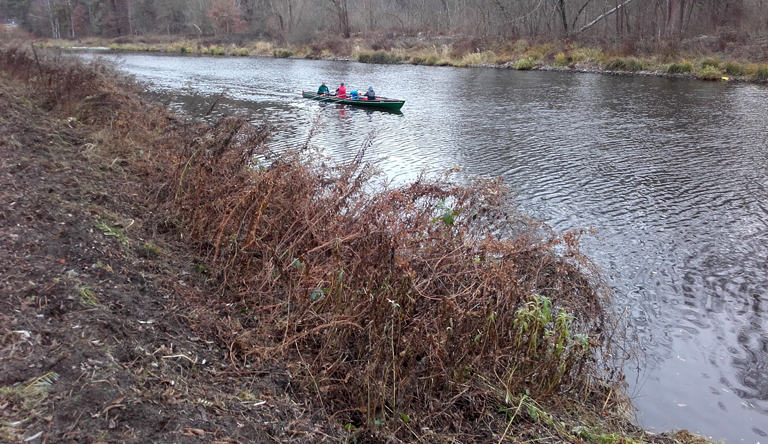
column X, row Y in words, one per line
column 710, row 58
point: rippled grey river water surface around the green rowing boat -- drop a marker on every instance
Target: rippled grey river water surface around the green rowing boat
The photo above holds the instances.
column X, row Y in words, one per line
column 672, row 175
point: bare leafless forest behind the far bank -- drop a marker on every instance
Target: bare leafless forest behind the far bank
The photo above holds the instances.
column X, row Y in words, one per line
column 641, row 24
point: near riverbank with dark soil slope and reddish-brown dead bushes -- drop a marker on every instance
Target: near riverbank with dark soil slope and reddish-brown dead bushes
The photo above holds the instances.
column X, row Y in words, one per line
column 172, row 290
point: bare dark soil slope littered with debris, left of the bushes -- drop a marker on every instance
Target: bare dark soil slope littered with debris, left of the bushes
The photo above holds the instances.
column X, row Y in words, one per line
column 97, row 306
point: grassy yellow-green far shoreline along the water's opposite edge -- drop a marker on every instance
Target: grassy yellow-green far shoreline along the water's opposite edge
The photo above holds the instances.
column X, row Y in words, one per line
column 519, row 55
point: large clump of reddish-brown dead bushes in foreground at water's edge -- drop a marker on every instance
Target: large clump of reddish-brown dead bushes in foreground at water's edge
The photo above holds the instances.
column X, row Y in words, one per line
column 422, row 302
